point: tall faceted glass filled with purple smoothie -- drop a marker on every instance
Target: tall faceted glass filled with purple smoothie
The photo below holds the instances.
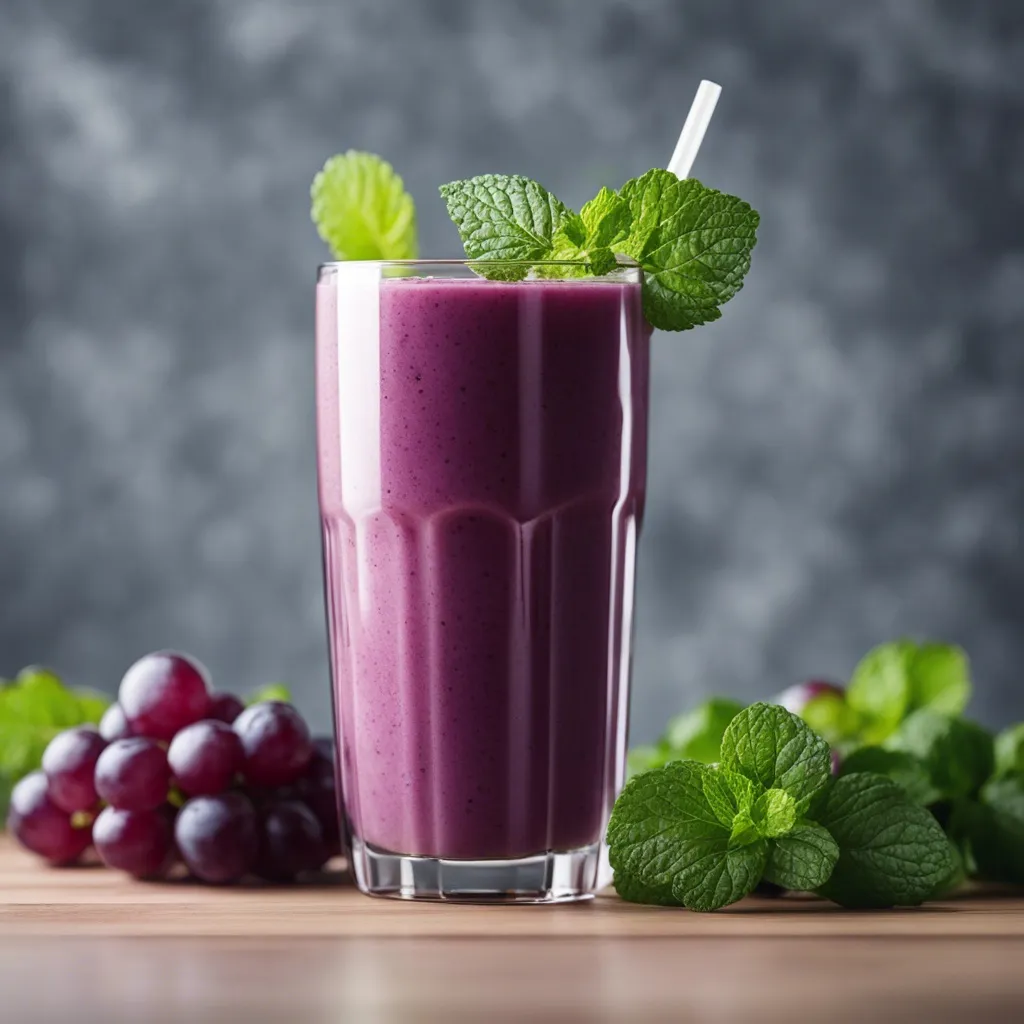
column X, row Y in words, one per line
column 483, row 466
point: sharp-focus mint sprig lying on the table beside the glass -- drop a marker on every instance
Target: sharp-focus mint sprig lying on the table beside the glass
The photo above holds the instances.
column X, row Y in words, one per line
column 704, row 836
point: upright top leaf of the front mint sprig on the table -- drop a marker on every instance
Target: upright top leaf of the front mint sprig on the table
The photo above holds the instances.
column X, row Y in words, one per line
column 778, row 750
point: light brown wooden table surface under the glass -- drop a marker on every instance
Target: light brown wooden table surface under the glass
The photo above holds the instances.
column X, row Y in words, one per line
column 88, row 945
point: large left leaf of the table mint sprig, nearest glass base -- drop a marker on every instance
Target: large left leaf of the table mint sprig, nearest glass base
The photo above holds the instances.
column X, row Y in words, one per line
column 664, row 833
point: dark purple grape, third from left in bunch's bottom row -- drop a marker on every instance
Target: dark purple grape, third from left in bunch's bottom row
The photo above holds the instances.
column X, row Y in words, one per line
column 218, row 837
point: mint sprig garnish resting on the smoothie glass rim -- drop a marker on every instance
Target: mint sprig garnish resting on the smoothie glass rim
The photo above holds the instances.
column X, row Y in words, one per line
column 694, row 243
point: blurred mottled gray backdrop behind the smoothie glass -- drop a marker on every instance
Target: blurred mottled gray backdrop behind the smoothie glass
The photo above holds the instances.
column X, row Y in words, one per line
column 840, row 460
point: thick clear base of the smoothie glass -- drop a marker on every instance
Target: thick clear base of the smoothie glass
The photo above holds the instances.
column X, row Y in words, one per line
column 546, row 878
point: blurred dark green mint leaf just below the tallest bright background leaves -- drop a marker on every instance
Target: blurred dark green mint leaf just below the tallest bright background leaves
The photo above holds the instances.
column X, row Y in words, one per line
column 960, row 755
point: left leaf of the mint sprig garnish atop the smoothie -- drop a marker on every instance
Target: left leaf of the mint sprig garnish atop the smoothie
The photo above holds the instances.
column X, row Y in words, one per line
column 505, row 218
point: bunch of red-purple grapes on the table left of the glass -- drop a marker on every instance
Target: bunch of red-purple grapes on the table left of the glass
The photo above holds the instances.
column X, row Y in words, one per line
column 178, row 773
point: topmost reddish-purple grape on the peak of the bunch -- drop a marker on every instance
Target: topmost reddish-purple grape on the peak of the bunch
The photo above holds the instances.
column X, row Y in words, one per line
column 162, row 694
